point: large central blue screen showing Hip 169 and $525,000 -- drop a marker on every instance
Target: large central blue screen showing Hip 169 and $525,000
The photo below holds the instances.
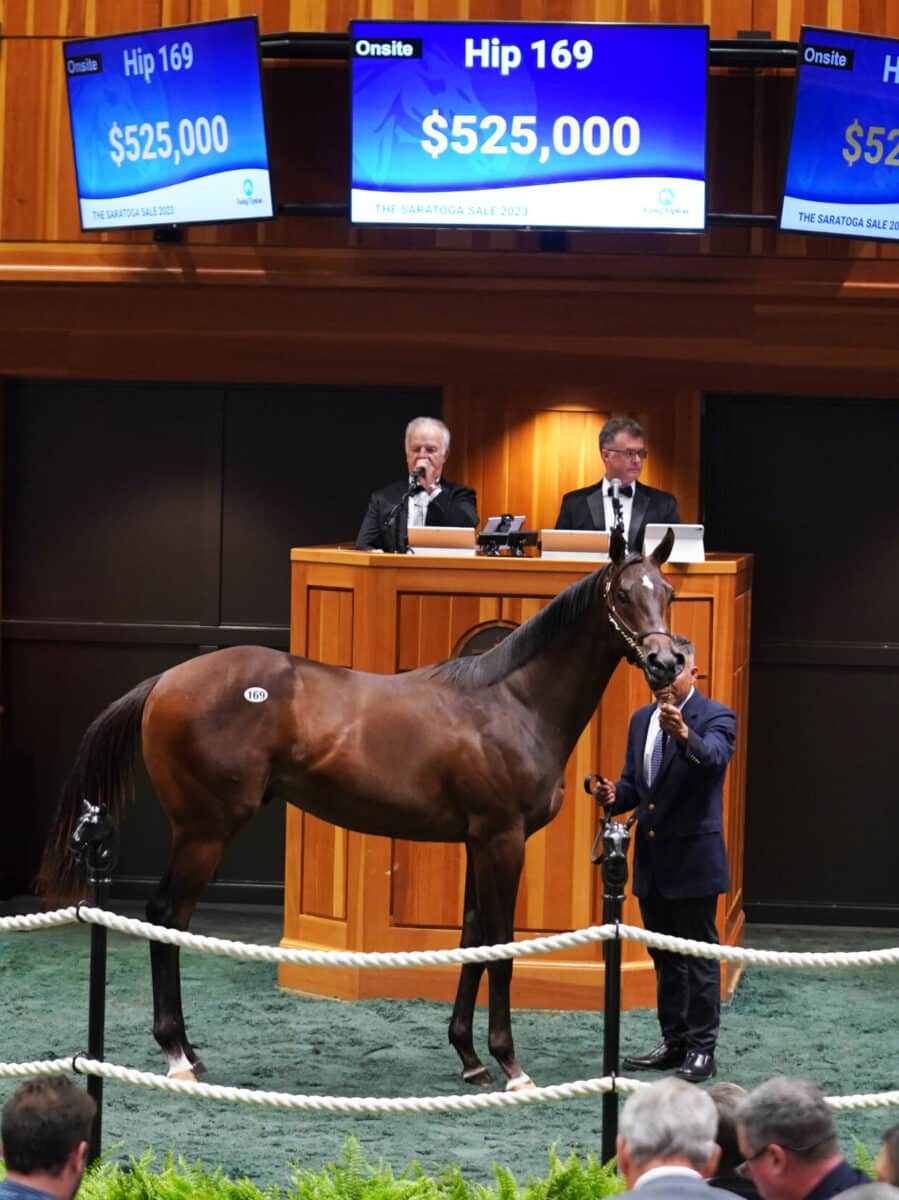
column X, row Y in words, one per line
column 529, row 125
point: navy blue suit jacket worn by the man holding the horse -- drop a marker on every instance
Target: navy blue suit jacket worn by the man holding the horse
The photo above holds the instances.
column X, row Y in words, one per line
column 680, row 841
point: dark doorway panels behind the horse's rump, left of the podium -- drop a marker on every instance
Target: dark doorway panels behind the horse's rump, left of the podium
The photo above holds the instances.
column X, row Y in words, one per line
column 148, row 524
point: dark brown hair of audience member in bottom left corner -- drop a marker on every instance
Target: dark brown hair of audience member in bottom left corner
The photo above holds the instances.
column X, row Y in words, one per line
column 44, row 1121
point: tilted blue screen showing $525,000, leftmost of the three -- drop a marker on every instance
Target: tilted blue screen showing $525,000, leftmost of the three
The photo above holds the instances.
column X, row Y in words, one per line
column 169, row 127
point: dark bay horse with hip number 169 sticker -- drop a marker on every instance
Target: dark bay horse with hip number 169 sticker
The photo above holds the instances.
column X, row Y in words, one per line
column 470, row 751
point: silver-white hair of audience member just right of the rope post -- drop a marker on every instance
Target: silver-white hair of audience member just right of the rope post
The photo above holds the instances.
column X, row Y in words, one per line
column 672, row 1119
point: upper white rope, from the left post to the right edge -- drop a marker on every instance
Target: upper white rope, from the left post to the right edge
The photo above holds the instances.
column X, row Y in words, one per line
column 534, row 946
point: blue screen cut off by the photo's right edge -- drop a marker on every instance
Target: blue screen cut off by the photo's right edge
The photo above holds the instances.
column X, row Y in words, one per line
column 842, row 175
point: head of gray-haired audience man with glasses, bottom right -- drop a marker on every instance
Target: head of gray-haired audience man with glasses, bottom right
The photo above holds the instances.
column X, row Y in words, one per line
column 787, row 1137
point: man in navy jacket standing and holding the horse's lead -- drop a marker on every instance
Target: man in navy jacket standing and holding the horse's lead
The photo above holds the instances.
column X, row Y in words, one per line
column 674, row 776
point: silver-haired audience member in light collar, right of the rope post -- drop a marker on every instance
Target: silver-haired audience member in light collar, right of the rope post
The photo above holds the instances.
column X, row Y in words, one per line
column 667, row 1145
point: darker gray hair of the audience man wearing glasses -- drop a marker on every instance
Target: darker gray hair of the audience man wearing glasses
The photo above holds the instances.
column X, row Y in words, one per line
column 790, row 1113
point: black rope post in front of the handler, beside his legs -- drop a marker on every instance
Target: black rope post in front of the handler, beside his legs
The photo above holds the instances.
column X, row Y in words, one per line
column 614, row 861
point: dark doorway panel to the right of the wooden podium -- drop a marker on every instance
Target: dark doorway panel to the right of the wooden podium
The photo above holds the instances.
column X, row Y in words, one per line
column 801, row 483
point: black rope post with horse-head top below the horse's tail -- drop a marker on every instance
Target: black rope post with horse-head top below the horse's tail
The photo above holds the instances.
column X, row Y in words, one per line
column 97, row 845
